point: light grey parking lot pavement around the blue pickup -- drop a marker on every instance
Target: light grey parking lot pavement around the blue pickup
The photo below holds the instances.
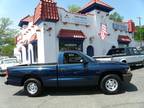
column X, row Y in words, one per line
column 132, row 97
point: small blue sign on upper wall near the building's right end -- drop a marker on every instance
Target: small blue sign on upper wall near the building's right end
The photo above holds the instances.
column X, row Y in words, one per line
column 120, row 26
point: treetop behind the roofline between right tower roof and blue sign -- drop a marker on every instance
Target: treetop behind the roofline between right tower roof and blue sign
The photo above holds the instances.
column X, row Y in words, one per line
column 116, row 17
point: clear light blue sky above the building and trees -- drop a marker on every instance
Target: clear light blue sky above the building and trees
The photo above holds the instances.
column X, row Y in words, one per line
column 17, row 9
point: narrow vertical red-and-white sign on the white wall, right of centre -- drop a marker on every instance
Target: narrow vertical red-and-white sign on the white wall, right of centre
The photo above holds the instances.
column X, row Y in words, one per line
column 103, row 31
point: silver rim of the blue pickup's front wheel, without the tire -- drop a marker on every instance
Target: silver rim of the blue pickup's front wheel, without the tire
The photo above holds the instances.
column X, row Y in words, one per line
column 111, row 85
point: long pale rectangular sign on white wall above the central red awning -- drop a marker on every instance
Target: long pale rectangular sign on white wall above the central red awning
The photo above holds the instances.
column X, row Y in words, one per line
column 75, row 19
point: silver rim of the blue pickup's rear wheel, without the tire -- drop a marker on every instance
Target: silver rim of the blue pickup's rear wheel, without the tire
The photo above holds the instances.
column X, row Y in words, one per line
column 32, row 88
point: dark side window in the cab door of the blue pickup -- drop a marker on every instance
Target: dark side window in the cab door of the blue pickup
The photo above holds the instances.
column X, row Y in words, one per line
column 72, row 58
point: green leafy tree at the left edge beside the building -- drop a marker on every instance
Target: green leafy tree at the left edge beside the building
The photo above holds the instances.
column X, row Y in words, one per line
column 7, row 40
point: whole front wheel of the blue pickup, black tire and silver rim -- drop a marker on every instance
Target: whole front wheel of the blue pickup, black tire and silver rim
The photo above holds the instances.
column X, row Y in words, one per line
column 110, row 84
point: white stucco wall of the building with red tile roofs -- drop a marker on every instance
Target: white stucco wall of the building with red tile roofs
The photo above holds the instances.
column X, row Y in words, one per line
column 48, row 42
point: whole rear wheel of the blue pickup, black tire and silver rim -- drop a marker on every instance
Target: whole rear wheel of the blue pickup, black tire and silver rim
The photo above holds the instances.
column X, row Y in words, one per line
column 33, row 87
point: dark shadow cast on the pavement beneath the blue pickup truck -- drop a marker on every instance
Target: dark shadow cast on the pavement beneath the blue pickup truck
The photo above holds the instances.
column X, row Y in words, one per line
column 77, row 91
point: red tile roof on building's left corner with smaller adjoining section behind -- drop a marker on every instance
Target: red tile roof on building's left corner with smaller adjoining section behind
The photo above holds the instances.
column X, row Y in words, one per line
column 45, row 10
